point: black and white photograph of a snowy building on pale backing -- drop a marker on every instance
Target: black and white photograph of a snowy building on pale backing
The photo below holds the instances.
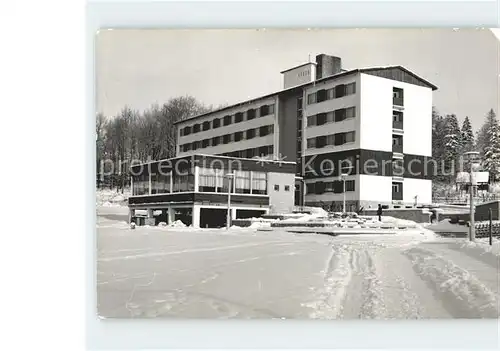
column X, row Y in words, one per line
column 312, row 174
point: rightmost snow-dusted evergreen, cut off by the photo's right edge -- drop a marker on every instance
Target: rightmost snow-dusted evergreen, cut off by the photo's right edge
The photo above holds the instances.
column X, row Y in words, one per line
column 491, row 148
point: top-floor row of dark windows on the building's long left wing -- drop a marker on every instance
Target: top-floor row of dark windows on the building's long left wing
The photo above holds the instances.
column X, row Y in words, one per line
column 250, row 114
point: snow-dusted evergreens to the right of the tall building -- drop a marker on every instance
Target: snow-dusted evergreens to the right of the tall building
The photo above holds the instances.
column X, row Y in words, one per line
column 450, row 141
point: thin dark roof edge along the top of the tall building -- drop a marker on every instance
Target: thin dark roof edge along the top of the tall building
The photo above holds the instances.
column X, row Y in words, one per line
column 322, row 80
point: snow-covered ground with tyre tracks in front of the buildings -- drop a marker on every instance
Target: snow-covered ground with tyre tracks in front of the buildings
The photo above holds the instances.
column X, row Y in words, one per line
column 244, row 273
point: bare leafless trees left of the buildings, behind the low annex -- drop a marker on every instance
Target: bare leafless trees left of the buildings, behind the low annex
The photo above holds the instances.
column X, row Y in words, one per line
column 142, row 136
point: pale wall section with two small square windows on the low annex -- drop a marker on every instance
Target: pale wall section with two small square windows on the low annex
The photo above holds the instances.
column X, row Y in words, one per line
column 281, row 201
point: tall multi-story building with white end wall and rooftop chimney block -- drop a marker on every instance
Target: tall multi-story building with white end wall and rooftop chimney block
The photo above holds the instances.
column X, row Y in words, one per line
column 363, row 135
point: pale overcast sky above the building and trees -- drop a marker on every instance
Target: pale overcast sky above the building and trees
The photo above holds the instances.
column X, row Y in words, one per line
column 141, row 67
